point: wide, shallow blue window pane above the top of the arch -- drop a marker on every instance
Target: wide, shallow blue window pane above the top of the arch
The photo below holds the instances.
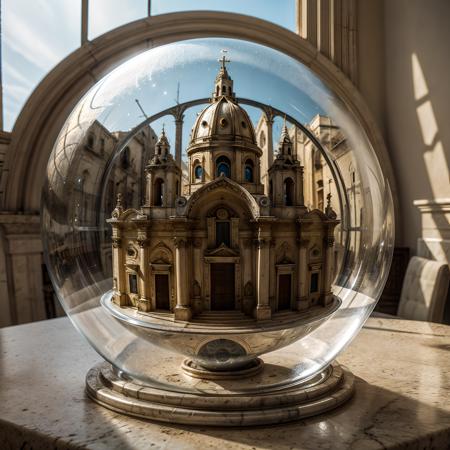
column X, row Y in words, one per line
column 280, row 12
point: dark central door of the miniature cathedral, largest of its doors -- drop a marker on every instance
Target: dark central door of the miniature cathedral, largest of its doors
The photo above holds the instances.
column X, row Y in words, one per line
column 222, row 286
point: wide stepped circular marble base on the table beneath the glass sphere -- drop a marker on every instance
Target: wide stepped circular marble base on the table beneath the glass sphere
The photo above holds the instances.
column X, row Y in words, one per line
column 289, row 400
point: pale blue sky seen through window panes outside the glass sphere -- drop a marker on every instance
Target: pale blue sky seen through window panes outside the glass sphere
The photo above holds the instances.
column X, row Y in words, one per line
column 38, row 34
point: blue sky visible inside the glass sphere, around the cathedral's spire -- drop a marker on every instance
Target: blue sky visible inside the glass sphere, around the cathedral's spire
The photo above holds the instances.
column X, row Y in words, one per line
column 260, row 74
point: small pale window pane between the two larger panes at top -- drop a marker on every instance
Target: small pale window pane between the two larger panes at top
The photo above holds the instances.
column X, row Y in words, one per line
column 104, row 15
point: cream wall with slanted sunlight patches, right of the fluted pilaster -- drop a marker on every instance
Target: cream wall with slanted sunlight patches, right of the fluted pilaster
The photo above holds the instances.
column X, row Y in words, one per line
column 417, row 67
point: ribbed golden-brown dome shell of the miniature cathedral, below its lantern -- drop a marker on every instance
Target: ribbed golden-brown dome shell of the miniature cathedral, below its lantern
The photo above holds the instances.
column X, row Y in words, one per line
column 224, row 119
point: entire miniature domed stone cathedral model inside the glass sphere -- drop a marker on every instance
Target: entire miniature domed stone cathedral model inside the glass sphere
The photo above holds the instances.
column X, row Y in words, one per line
column 230, row 242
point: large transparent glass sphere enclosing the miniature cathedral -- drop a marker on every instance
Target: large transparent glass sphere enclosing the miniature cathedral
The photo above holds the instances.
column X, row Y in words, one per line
column 125, row 155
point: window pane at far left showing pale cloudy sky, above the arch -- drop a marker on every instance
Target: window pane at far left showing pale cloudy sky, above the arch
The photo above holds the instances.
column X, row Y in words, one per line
column 36, row 35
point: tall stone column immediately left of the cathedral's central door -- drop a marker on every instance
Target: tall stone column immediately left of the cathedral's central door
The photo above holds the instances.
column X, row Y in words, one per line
column 182, row 309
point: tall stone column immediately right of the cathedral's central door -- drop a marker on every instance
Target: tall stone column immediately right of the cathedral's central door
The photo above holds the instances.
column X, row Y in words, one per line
column 263, row 310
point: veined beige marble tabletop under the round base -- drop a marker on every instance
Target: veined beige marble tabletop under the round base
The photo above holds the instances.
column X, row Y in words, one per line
column 402, row 397
